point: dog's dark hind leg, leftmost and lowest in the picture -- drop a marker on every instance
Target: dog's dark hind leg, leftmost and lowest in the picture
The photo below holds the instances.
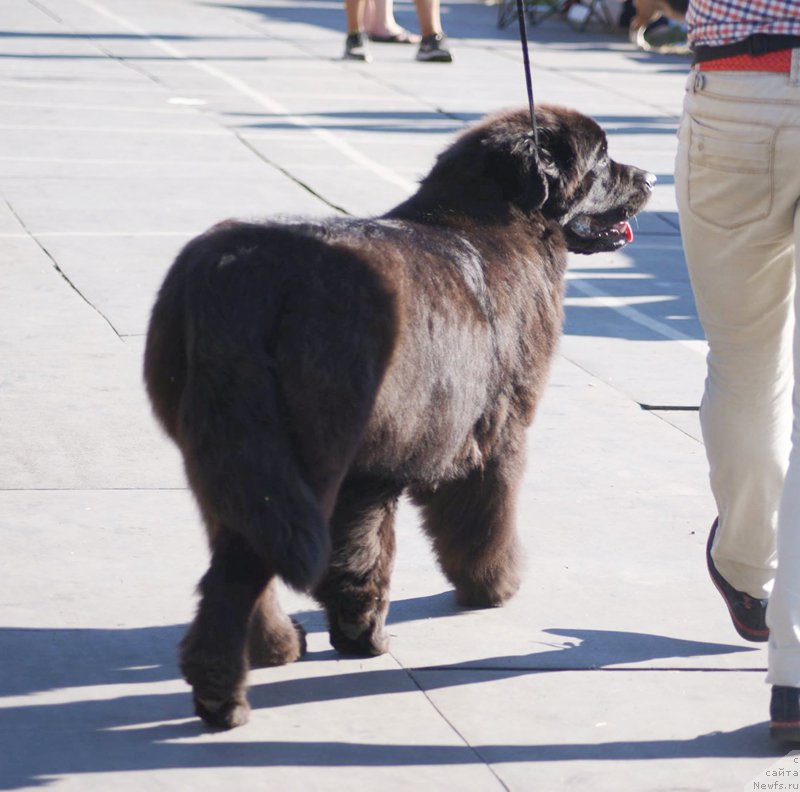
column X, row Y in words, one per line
column 213, row 652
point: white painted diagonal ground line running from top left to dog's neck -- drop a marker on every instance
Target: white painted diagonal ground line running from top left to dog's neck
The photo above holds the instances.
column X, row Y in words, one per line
column 259, row 97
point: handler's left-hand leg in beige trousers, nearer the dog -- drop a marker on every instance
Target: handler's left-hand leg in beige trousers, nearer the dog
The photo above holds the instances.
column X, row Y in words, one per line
column 739, row 256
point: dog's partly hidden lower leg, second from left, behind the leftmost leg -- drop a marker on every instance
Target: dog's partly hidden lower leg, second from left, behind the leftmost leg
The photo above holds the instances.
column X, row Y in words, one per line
column 274, row 638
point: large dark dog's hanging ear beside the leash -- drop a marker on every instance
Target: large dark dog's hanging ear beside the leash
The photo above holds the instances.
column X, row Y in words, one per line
column 520, row 170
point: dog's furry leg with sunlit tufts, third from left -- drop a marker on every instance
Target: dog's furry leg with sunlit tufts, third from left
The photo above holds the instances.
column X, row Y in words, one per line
column 355, row 591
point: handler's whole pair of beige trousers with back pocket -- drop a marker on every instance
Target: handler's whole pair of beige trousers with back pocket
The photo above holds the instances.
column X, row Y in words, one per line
column 737, row 178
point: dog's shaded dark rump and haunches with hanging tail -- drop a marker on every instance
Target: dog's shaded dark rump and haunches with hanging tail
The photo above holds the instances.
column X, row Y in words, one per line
column 232, row 340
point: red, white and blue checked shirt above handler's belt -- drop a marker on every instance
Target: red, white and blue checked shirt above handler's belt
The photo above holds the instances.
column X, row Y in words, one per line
column 716, row 22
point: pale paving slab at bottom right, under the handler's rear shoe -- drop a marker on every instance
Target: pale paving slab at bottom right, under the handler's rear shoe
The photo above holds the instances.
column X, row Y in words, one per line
column 588, row 734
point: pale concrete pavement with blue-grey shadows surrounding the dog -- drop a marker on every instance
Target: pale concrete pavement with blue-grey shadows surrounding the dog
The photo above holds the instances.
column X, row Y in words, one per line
column 128, row 127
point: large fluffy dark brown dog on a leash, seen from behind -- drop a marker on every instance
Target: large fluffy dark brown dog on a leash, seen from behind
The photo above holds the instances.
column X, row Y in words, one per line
column 312, row 371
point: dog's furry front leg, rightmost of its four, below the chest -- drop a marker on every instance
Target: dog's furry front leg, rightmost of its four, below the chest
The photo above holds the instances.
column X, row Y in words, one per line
column 472, row 524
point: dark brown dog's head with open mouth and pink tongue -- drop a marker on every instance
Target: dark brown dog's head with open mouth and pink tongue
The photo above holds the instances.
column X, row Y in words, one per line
column 569, row 177
